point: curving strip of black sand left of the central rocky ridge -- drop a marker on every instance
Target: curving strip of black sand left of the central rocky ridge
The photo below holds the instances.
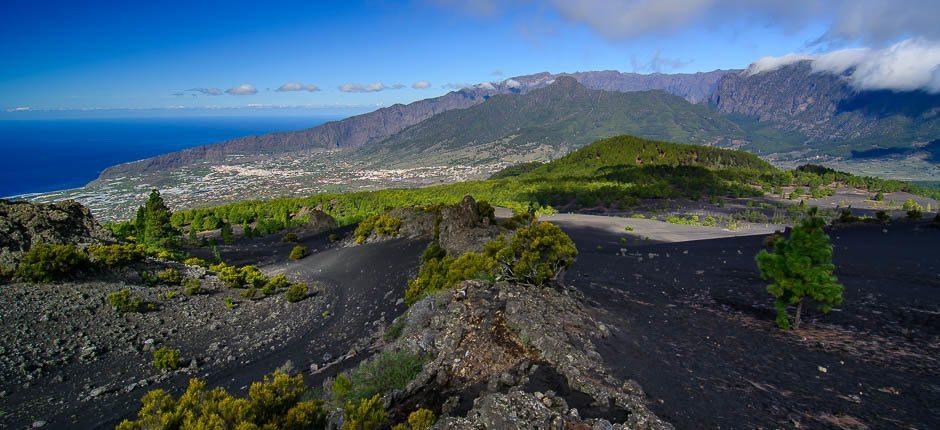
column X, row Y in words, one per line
column 361, row 284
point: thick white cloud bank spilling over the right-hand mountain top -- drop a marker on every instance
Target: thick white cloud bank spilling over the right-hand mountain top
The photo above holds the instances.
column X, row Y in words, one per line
column 912, row 64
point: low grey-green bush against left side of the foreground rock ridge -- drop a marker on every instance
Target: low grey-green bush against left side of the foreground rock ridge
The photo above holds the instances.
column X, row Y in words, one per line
column 383, row 373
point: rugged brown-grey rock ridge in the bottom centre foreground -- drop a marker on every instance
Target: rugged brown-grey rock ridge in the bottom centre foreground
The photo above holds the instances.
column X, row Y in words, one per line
column 504, row 356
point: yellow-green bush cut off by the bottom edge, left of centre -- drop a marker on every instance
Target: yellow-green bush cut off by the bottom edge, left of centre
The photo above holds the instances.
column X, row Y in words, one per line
column 275, row 402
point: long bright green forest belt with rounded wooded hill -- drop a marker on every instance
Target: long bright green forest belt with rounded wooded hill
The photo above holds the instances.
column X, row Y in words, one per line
column 614, row 172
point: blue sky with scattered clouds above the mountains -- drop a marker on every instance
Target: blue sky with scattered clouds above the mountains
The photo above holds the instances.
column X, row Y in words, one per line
column 341, row 56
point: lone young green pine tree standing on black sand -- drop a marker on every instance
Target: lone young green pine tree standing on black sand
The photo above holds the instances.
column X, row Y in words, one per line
column 800, row 266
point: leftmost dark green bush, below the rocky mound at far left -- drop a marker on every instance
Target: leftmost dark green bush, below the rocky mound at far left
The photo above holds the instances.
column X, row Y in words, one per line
column 49, row 262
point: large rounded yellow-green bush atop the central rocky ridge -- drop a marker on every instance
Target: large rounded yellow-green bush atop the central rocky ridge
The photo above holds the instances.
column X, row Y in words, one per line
column 536, row 254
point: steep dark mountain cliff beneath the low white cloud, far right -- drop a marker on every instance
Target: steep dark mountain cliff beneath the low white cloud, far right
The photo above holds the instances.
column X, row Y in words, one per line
column 834, row 117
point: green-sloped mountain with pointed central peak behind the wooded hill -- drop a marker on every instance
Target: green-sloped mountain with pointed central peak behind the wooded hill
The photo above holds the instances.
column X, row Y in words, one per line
column 557, row 118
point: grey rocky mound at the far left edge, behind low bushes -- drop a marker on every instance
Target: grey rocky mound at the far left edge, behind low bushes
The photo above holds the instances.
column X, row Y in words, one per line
column 23, row 224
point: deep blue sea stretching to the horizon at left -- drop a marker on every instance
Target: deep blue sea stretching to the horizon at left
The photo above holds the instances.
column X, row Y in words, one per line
column 48, row 155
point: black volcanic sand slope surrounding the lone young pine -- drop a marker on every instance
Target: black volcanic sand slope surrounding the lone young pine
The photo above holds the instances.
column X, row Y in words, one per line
column 692, row 323
